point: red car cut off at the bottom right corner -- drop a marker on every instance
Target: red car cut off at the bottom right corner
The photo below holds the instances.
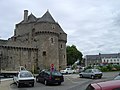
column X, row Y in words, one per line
column 107, row 85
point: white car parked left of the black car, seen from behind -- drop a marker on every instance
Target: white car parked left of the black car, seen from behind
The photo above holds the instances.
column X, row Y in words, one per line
column 24, row 77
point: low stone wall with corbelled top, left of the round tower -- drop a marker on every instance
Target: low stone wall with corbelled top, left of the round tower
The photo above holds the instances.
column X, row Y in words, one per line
column 13, row 57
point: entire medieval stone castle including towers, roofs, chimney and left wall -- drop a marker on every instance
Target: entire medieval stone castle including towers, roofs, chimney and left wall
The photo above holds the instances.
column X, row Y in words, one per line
column 36, row 43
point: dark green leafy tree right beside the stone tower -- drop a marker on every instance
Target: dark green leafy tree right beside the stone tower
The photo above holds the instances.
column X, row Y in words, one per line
column 73, row 55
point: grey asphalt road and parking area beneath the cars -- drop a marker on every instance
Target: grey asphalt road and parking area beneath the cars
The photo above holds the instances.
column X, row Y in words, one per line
column 72, row 82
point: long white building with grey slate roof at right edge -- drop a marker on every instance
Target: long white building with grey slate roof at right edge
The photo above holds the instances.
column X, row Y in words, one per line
column 102, row 59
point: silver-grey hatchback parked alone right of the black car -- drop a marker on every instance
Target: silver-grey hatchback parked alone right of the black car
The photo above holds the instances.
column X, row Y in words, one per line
column 91, row 73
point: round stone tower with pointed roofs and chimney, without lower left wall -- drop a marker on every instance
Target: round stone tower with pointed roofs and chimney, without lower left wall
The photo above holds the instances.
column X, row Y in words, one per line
column 47, row 36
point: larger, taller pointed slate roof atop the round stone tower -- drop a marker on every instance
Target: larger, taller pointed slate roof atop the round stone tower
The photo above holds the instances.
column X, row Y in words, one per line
column 46, row 18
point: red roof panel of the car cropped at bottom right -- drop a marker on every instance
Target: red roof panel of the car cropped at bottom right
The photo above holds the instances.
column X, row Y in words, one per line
column 107, row 84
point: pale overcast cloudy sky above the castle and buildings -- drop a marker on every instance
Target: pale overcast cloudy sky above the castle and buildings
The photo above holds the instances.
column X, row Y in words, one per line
column 93, row 26
